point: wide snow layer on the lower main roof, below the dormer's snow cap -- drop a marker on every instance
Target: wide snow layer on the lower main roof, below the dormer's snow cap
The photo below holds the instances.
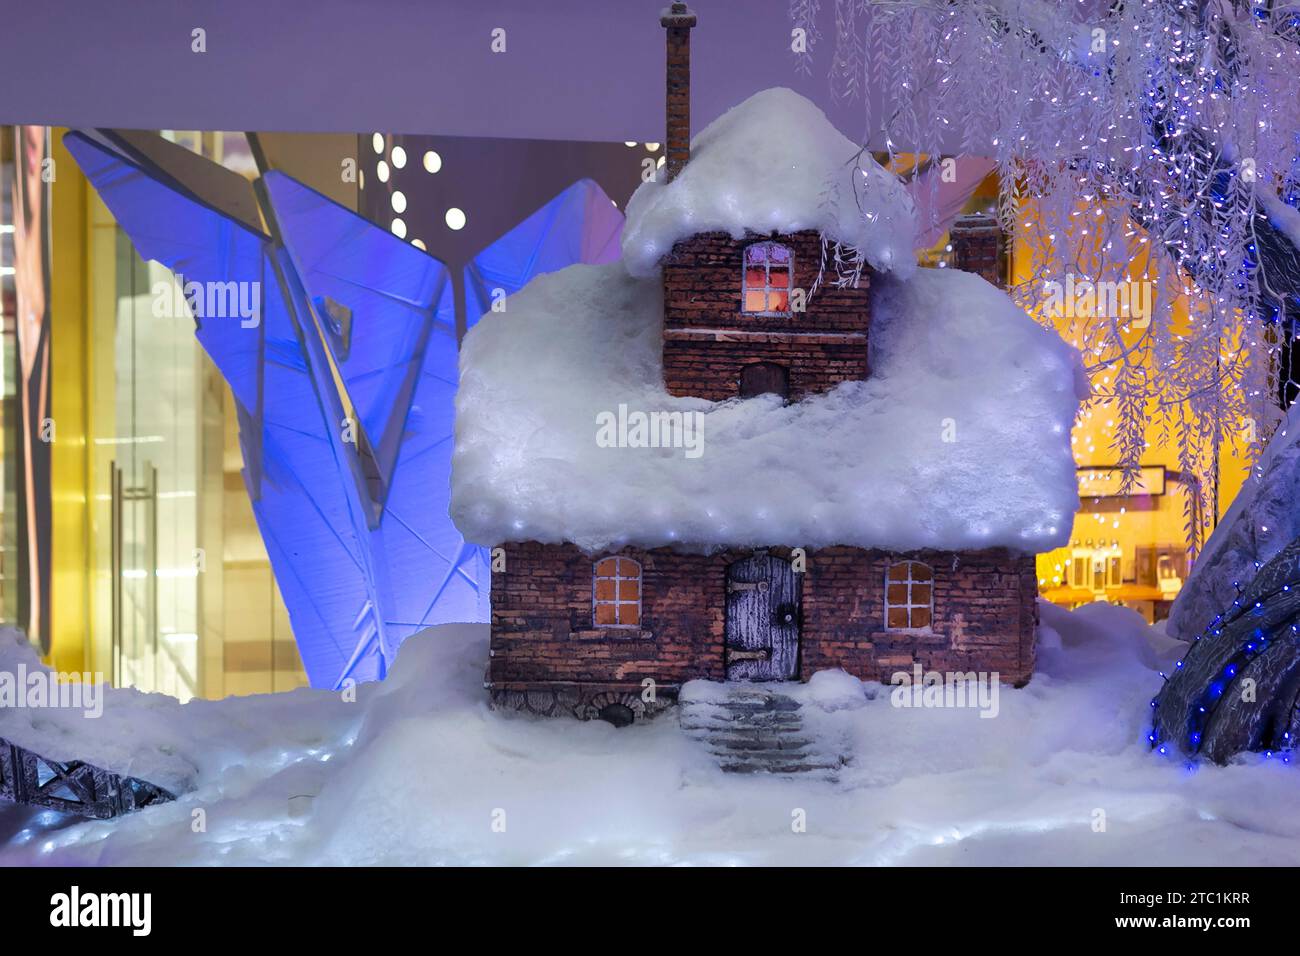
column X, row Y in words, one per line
column 960, row 439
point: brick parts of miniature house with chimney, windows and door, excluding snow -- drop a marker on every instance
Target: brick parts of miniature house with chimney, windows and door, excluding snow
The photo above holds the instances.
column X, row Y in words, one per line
column 586, row 634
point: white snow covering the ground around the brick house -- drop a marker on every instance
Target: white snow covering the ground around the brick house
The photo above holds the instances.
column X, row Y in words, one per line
column 419, row 771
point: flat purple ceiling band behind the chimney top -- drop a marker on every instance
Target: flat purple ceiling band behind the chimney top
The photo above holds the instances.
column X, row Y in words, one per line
column 573, row 70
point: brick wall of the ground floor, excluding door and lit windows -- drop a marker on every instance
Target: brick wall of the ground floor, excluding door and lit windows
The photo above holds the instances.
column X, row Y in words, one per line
column 541, row 608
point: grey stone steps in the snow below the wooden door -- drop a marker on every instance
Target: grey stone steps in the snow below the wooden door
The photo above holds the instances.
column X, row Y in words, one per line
column 751, row 730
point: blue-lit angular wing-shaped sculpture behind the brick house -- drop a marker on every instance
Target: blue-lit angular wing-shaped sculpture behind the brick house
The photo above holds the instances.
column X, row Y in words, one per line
column 345, row 388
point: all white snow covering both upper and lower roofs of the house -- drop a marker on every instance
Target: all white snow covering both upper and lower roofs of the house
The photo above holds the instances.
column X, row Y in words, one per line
column 959, row 440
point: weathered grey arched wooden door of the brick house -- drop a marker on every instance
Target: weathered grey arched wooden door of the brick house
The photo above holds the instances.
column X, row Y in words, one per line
column 764, row 611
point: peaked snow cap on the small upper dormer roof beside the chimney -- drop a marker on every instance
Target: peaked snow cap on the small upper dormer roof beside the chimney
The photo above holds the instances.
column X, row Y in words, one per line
column 774, row 165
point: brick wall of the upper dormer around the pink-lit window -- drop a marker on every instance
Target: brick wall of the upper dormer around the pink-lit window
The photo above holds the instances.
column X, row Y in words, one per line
column 708, row 340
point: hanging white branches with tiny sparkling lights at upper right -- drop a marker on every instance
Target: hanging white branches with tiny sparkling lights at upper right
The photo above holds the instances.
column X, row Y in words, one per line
column 1137, row 141
